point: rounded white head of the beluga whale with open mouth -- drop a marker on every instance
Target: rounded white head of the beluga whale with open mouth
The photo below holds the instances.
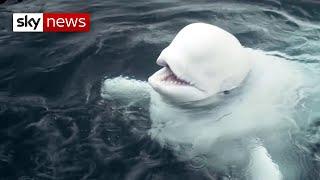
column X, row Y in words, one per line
column 202, row 61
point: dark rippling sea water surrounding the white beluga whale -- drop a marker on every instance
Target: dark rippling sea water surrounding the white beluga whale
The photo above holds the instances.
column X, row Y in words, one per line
column 54, row 124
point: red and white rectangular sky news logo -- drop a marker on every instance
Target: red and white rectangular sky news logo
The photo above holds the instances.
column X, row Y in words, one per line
column 51, row 22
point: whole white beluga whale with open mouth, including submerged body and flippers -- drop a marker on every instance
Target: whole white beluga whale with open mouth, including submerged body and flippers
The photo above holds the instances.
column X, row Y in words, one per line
column 217, row 99
